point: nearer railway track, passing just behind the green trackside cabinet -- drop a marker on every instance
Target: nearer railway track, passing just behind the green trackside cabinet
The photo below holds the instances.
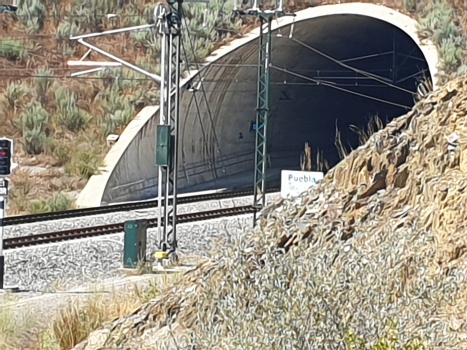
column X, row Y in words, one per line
column 26, row 241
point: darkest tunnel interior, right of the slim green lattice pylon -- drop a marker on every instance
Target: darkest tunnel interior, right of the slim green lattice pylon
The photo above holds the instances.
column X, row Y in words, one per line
column 306, row 110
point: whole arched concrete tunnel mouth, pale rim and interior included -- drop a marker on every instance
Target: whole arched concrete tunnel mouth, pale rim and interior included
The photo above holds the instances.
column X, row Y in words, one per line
column 217, row 119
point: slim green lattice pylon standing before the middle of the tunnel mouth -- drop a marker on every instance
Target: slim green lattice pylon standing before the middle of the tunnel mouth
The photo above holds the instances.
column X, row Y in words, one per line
column 263, row 111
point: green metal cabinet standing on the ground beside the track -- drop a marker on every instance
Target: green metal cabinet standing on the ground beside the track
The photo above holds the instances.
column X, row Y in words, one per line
column 134, row 248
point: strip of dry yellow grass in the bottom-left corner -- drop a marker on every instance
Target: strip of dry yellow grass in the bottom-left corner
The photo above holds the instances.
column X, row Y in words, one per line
column 81, row 316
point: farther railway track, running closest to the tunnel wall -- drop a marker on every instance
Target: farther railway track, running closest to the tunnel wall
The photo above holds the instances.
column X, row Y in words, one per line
column 74, row 213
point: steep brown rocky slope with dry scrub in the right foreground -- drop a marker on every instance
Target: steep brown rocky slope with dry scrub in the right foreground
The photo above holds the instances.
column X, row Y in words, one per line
column 372, row 257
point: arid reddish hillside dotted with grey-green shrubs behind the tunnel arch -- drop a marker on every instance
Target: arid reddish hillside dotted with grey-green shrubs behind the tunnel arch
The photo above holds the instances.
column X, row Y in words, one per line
column 60, row 124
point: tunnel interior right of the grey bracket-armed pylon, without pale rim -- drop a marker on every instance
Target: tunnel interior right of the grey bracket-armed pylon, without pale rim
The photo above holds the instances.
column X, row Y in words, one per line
column 335, row 71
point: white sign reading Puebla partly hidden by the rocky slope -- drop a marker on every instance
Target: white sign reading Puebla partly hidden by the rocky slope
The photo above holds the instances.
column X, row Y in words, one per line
column 293, row 183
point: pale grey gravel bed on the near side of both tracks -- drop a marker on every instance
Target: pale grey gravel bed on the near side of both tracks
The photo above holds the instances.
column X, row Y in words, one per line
column 67, row 265
